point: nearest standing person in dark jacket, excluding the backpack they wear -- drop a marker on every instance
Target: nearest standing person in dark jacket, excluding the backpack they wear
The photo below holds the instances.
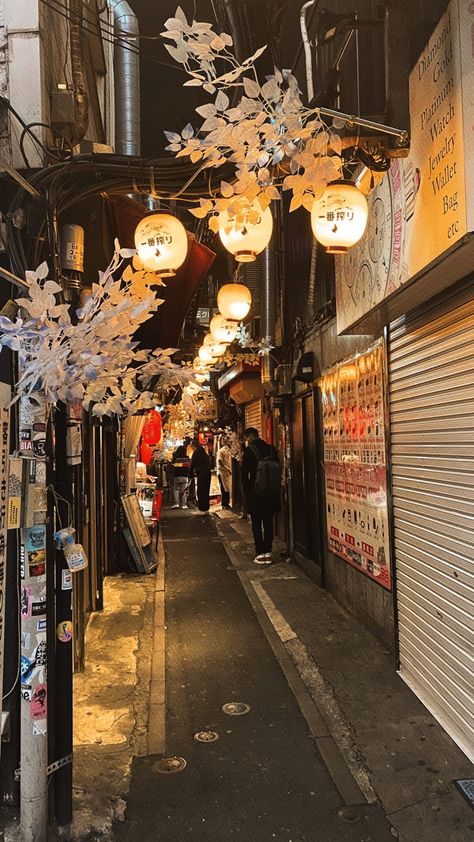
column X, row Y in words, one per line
column 260, row 509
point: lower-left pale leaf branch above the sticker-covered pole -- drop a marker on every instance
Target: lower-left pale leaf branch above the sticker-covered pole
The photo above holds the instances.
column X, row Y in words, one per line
column 93, row 358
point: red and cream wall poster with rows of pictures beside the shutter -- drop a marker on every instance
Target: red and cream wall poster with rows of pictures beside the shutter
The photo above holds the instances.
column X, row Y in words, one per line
column 355, row 464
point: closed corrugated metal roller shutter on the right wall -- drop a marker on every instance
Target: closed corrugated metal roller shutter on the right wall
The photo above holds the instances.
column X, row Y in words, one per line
column 431, row 371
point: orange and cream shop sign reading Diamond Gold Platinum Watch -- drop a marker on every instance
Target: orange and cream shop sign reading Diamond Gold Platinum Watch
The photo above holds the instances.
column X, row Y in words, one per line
column 425, row 204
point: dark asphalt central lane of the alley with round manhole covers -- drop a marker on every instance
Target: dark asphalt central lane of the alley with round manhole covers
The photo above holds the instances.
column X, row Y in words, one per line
column 258, row 775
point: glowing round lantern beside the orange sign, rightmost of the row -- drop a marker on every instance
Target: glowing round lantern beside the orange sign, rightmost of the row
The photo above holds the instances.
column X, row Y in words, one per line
column 339, row 217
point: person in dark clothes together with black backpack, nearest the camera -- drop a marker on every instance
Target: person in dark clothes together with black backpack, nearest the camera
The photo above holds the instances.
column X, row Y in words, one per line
column 261, row 485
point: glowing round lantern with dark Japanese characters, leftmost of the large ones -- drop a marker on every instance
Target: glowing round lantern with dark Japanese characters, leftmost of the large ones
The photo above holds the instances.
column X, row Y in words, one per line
column 162, row 243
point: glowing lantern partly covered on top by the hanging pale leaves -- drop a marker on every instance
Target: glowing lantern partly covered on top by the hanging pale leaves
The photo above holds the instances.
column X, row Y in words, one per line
column 246, row 240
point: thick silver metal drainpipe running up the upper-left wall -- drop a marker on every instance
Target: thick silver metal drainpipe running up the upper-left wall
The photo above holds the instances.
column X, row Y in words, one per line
column 126, row 79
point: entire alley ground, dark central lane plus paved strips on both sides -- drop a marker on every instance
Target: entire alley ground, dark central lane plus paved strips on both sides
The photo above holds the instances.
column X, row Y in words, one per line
column 334, row 747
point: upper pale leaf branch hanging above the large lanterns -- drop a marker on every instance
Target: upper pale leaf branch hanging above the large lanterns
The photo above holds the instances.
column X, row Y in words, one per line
column 269, row 135
